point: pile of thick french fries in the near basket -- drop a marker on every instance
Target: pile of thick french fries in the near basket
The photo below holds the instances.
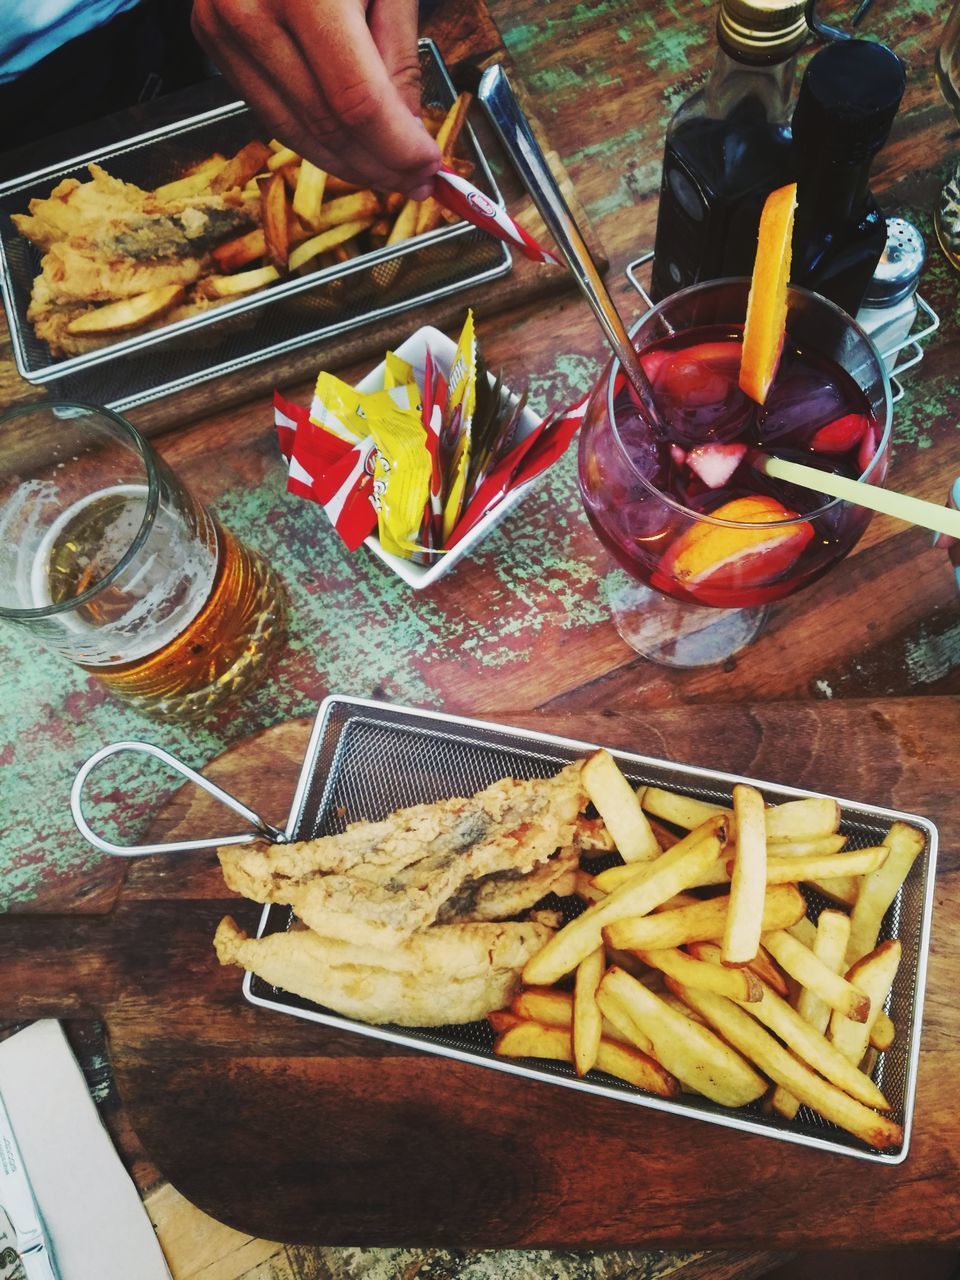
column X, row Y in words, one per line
column 697, row 968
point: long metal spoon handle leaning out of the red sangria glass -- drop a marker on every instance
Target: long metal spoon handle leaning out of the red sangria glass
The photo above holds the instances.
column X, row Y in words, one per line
column 514, row 131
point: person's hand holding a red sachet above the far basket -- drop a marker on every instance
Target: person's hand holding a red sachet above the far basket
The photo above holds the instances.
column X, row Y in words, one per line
column 335, row 80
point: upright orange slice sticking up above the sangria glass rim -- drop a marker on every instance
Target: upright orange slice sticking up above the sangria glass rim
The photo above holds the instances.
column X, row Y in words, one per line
column 767, row 305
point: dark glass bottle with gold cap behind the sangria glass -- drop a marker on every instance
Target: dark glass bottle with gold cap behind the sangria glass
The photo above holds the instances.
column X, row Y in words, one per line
column 728, row 148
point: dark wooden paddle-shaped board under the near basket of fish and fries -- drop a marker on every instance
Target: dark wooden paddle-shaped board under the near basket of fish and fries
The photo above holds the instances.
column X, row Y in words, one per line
column 295, row 1132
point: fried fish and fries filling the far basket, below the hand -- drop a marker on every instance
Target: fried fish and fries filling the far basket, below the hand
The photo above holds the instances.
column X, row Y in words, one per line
column 120, row 260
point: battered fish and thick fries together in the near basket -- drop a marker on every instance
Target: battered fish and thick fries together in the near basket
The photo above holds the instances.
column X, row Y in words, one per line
column 693, row 967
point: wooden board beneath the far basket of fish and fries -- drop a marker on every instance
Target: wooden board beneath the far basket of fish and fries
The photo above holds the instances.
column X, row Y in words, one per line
column 469, row 40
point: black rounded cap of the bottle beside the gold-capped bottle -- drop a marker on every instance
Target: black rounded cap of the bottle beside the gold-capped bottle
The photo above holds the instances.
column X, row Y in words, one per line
column 848, row 99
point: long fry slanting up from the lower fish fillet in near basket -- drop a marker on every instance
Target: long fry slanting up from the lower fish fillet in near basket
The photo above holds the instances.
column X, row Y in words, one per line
column 669, row 876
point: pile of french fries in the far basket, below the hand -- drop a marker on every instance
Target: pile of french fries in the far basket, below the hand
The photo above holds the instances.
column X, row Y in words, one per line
column 310, row 220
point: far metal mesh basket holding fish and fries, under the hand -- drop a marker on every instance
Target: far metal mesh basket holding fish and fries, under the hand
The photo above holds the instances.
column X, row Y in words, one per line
column 258, row 327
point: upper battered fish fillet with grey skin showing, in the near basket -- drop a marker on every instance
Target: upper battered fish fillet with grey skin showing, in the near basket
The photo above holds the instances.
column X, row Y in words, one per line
column 380, row 883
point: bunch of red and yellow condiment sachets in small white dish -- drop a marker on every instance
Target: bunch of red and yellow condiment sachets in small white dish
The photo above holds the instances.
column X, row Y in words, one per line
column 399, row 460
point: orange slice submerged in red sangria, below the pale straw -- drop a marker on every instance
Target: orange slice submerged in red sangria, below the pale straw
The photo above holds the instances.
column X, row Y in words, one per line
column 710, row 561
